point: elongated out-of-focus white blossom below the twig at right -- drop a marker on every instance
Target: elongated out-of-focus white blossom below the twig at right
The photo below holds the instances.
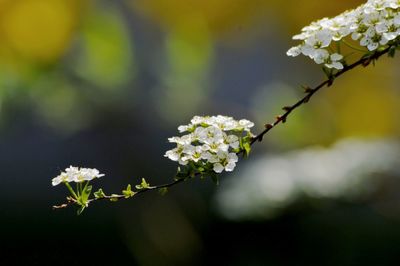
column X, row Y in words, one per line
column 263, row 187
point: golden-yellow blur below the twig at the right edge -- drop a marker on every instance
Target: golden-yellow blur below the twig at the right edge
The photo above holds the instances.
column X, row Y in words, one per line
column 366, row 102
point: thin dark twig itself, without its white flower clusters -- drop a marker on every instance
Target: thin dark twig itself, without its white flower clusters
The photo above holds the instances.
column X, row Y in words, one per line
column 364, row 61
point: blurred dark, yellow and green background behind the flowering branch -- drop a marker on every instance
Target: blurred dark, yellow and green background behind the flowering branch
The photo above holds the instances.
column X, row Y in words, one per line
column 104, row 83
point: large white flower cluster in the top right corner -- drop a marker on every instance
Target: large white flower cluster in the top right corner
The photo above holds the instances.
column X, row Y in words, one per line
column 373, row 24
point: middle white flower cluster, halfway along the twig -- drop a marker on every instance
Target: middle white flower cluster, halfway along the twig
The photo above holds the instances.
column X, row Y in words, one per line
column 211, row 140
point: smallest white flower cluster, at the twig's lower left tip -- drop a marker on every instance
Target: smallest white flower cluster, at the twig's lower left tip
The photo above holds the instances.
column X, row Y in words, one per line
column 76, row 174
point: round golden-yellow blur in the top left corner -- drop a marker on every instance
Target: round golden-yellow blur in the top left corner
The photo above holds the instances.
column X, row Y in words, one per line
column 39, row 30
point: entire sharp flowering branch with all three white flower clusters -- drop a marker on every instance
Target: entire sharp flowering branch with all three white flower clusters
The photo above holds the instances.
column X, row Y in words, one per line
column 212, row 144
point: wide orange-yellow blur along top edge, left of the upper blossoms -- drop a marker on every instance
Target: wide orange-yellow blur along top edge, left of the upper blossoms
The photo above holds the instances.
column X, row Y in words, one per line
column 232, row 16
